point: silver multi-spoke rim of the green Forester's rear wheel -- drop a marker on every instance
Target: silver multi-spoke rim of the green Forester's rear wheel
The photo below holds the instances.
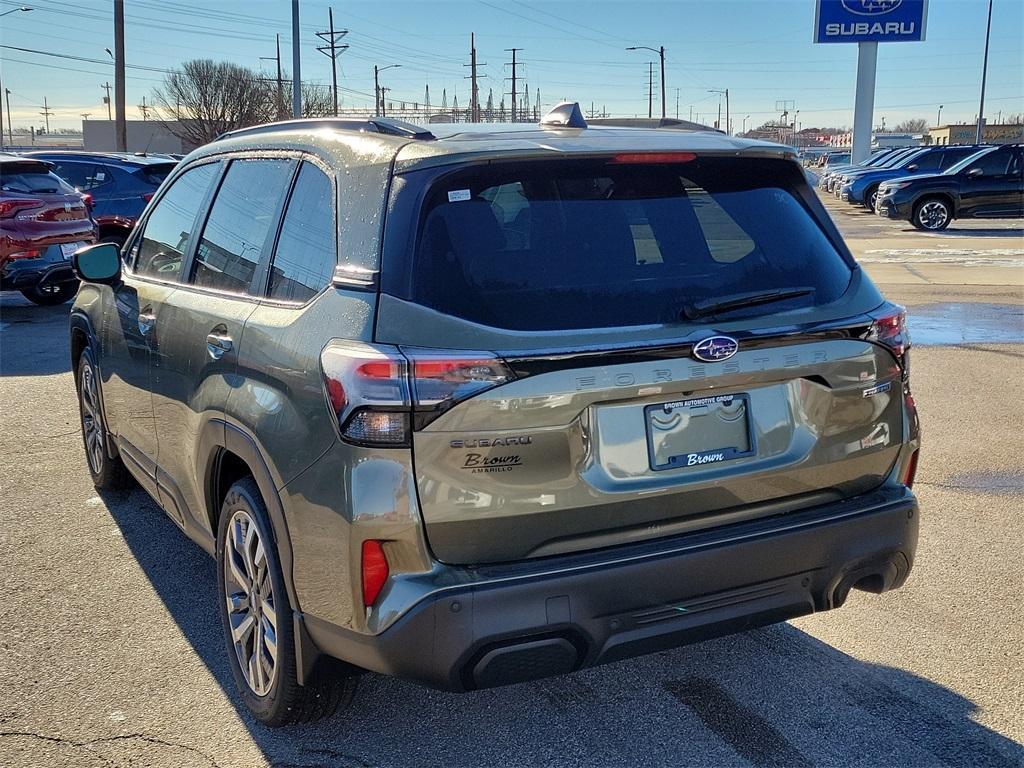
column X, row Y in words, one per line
column 251, row 607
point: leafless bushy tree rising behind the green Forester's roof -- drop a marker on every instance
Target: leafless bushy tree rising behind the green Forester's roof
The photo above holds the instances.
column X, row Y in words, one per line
column 204, row 99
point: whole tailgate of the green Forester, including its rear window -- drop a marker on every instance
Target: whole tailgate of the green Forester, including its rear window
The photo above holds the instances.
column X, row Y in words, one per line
column 592, row 283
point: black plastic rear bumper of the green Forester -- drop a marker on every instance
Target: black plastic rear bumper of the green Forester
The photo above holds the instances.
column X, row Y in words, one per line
column 554, row 616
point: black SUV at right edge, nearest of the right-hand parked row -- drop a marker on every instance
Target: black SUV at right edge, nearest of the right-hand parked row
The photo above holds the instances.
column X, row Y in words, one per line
column 988, row 185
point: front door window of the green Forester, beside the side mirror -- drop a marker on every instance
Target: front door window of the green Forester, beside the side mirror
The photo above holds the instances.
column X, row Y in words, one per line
column 168, row 229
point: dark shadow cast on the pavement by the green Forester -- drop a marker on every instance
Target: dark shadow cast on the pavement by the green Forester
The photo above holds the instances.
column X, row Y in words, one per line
column 776, row 697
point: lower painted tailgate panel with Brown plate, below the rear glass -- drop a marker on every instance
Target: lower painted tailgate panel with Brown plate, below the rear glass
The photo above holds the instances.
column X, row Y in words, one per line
column 580, row 458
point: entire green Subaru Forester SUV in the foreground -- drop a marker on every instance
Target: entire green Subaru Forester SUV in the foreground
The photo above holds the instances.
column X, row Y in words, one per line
column 491, row 403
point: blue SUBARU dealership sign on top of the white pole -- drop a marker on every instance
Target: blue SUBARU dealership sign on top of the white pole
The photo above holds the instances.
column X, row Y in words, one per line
column 870, row 21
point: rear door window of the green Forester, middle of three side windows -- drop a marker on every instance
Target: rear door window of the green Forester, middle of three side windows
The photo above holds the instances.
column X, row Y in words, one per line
column 236, row 233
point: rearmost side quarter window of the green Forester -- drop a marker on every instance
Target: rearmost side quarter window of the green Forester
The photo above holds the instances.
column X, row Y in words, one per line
column 307, row 253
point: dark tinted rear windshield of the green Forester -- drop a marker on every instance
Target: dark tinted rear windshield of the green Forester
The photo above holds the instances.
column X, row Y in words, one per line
column 599, row 244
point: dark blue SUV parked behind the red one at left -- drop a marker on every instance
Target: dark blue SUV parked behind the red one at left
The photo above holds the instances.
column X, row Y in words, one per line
column 121, row 185
